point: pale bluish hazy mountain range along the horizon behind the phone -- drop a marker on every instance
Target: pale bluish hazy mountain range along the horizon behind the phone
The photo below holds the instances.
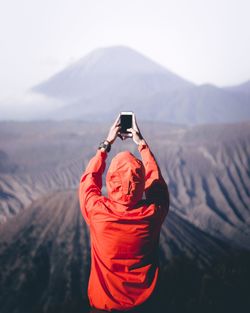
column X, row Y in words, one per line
column 118, row 78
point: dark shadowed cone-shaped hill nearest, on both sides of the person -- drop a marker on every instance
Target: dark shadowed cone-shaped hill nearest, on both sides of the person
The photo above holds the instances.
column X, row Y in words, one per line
column 45, row 258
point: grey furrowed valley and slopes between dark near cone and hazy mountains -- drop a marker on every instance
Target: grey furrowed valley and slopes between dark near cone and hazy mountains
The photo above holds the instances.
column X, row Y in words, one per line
column 207, row 168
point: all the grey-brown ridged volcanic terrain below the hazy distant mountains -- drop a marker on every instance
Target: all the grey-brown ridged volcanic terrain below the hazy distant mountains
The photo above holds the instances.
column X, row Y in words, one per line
column 44, row 241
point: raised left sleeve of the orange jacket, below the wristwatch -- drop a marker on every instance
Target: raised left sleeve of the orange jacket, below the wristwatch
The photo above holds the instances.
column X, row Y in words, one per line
column 91, row 184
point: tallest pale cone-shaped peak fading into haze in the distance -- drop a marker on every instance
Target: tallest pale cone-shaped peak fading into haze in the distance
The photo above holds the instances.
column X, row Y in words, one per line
column 116, row 70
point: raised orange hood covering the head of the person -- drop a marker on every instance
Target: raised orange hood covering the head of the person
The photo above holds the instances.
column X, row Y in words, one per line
column 125, row 179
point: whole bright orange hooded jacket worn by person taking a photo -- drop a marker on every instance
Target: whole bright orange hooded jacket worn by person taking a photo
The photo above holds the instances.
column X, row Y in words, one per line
column 124, row 228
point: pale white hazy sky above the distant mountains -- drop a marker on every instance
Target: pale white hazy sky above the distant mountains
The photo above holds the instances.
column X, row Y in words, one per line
column 205, row 41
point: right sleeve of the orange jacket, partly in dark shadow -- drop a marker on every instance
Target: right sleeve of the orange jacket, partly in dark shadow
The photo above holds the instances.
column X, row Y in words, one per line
column 156, row 189
